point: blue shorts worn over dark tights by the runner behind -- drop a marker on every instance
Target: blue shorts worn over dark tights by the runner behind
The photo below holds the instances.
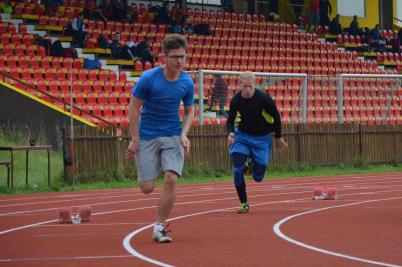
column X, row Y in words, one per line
column 258, row 148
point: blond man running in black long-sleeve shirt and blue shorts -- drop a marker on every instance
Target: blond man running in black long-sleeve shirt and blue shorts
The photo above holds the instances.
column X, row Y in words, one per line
column 252, row 139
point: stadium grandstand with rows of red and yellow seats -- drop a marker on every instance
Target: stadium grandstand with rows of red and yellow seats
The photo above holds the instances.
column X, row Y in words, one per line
column 47, row 56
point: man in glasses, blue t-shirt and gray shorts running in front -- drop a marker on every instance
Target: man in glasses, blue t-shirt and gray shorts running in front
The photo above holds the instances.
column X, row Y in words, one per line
column 158, row 138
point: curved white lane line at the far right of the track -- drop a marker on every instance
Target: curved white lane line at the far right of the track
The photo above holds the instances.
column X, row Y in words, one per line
column 278, row 232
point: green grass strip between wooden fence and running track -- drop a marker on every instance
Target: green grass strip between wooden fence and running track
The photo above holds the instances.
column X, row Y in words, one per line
column 191, row 174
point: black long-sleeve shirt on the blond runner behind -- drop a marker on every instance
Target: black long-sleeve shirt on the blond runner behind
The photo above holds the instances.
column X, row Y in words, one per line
column 251, row 114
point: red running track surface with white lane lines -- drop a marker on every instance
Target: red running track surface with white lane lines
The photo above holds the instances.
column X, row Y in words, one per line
column 284, row 228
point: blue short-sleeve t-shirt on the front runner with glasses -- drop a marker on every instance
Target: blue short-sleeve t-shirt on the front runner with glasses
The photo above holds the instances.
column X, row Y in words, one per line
column 162, row 98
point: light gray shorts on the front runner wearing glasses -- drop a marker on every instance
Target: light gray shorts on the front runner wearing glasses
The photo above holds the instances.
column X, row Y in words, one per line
column 159, row 154
